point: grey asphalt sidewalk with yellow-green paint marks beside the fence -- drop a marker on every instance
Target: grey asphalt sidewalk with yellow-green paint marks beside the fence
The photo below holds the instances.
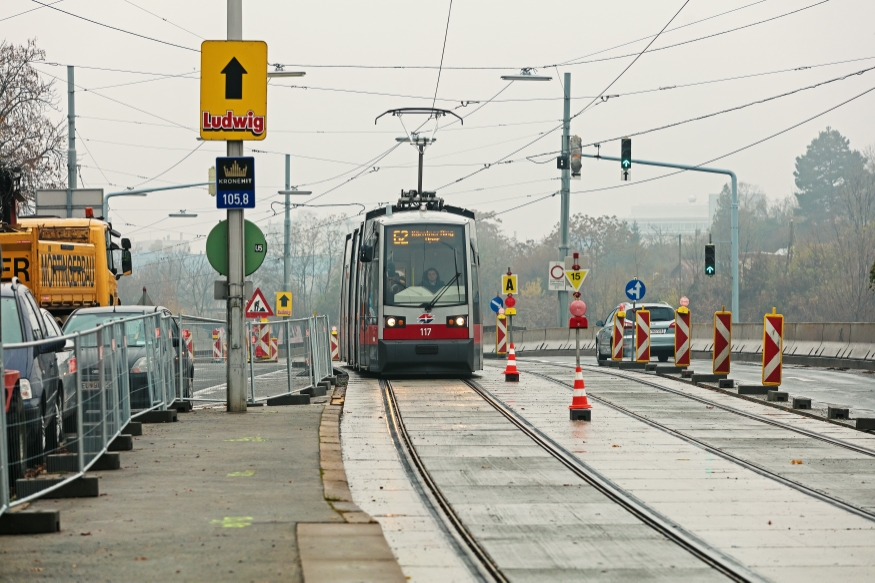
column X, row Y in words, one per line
column 212, row 497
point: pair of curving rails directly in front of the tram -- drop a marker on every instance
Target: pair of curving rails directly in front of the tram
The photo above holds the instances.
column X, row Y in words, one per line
column 672, row 531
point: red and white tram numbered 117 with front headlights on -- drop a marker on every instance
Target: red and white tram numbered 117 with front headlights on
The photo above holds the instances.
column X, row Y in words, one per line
column 410, row 293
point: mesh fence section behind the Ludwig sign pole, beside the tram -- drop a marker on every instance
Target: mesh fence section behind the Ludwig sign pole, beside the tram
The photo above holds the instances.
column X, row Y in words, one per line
column 284, row 356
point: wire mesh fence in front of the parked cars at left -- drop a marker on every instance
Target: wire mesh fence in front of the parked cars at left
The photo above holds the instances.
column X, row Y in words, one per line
column 71, row 396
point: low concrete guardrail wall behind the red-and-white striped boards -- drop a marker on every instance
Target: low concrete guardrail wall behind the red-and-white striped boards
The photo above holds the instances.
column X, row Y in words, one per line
column 836, row 343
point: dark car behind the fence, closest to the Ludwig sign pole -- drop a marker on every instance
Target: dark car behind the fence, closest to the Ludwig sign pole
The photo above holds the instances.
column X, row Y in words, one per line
column 140, row 343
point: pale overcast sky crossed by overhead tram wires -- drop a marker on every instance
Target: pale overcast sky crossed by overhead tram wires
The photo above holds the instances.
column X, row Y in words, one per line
column 141, row 119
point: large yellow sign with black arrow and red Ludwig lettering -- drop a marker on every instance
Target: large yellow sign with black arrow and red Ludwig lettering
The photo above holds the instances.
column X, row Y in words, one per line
column 233, row 90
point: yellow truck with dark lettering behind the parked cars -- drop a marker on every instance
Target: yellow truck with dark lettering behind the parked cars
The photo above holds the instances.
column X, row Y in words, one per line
column 66, row 263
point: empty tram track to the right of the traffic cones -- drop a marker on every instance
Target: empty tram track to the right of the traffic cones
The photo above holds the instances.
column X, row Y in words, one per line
column 765, row 472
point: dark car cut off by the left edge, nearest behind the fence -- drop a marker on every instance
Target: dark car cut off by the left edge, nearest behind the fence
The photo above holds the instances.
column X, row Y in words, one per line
column 39, row 385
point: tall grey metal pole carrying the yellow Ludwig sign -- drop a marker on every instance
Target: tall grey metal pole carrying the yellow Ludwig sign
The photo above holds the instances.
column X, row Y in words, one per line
column 237, row 338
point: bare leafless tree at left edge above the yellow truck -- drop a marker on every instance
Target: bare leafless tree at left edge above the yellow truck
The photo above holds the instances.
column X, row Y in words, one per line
column 29, row 140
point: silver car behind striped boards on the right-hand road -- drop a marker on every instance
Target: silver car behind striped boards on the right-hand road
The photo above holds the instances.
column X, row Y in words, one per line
column 661, row 331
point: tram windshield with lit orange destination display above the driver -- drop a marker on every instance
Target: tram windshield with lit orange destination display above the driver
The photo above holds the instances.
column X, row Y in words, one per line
column 425, row 266
